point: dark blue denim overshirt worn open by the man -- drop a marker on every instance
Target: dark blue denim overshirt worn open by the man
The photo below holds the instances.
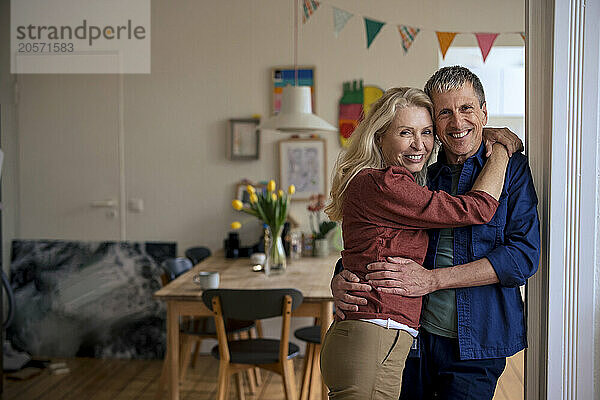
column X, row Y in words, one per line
column 491, row 319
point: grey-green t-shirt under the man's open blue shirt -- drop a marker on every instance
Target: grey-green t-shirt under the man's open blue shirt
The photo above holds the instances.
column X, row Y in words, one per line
column 439, row 315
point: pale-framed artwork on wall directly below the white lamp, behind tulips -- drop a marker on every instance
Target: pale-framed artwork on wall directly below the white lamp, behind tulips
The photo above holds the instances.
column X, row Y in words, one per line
column 302, row 163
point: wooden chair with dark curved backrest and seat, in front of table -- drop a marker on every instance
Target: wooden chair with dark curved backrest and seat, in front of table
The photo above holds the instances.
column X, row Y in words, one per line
column 275, row 355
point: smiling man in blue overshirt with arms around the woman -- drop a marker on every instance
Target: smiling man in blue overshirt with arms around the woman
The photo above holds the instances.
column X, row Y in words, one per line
column 472, row 316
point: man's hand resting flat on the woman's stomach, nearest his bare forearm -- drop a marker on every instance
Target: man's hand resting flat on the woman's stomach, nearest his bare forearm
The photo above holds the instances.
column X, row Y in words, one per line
column 401, row 276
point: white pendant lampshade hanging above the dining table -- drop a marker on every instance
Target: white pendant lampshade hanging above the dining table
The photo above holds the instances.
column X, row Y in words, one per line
column 296, row 113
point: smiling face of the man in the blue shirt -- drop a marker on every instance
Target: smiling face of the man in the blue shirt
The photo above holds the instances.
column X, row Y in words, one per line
column 459, row 122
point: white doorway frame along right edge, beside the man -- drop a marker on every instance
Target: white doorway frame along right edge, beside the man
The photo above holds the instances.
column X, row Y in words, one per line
column 563, row 109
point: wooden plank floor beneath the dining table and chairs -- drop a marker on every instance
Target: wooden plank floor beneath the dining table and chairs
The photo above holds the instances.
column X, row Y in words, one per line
column 93, row 379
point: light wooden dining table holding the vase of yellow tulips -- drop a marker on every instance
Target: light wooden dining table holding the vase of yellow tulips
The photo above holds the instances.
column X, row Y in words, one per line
column 310, row 275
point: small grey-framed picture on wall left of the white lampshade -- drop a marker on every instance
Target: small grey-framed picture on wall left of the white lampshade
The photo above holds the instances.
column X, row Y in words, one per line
column 244, row 139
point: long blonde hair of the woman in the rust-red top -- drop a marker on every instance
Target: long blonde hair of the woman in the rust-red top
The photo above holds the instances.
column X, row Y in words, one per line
column 363, row 151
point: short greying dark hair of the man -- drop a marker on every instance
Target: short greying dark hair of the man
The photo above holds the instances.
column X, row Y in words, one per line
column 453, row 78
